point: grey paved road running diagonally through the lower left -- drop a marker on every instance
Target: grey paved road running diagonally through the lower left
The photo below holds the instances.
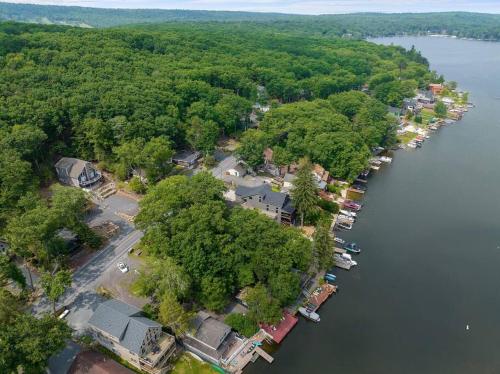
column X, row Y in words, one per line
column 82, row 297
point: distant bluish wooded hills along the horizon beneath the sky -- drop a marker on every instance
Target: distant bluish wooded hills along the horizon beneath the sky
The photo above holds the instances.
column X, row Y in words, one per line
column 359, row 25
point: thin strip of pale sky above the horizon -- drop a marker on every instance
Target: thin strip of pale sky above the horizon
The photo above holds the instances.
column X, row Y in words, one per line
column 290, row 6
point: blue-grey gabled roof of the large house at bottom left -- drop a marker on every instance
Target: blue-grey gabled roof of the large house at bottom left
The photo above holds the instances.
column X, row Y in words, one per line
column 123, row 321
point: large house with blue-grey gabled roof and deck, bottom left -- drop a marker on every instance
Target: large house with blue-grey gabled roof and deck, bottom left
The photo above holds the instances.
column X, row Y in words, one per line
column 124, row 330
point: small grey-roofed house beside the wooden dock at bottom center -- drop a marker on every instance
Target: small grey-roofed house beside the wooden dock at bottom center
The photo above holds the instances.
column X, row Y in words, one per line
column 212, row 340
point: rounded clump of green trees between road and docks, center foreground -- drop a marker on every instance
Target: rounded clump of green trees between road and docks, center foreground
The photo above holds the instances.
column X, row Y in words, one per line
column 222, row 249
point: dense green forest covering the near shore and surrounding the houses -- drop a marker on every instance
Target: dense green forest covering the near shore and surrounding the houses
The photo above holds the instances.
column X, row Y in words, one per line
column 128, row 98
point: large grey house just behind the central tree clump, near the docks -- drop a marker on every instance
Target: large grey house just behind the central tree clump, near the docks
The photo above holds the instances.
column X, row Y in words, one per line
column 276, row 205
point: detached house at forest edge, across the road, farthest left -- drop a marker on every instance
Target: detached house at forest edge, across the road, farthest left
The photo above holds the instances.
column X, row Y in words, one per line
column 77, row 173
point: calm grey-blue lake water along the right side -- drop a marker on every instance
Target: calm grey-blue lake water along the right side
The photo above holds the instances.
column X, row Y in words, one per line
column 431, row 248
